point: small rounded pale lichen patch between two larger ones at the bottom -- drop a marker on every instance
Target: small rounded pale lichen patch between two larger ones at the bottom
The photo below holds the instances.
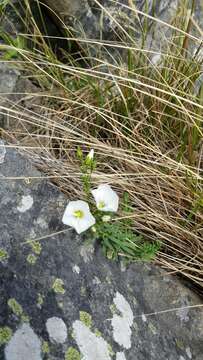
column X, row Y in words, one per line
column 57, row 330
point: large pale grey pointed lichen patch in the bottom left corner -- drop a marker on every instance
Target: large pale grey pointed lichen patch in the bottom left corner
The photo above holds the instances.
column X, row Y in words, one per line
column 24, row 345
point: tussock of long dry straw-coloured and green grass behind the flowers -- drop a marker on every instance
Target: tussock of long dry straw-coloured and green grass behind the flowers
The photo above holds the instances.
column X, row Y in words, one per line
column 142, row 117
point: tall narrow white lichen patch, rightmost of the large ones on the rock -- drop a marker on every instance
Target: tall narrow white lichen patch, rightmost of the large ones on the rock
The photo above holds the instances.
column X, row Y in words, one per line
column 122, row 324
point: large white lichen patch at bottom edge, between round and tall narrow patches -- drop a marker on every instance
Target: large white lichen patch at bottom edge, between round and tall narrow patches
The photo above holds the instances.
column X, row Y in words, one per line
column 91, row 346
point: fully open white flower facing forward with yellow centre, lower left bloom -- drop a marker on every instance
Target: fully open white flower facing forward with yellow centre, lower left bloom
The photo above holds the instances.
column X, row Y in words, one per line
column 77, row 215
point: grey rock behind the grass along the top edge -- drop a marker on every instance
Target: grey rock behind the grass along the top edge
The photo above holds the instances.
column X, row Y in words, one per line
column 109, row 19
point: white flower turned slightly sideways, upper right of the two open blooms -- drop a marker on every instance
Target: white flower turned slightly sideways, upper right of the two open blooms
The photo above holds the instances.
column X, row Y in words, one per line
column 106, row 198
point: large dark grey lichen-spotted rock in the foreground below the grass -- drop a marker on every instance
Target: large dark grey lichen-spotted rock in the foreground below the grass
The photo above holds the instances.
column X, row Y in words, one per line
column 104, row 307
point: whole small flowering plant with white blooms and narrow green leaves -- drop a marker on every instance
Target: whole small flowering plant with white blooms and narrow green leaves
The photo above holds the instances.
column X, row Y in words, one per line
column 116, row 236
